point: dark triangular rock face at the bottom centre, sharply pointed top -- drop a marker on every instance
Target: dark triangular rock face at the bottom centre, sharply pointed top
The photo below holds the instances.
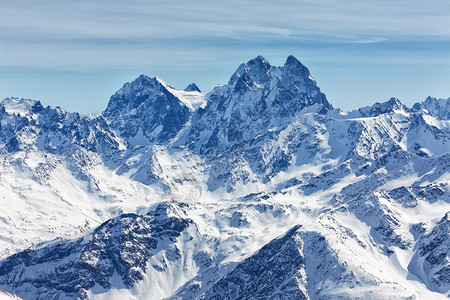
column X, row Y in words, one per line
column 272, row 273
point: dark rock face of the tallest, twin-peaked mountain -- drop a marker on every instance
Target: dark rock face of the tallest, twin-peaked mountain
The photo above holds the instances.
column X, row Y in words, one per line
column 256, row 96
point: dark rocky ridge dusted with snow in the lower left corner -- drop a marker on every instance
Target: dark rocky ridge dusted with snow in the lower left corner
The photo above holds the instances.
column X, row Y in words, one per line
column 67, row 269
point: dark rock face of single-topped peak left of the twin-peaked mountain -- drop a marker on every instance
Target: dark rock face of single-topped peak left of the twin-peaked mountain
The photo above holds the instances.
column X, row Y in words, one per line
column 145, row 112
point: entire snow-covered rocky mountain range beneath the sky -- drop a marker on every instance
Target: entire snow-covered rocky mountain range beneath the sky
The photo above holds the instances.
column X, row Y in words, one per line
column 259, row 189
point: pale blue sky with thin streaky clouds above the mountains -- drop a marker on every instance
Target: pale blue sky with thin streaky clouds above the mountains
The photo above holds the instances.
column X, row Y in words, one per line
column 75, row 54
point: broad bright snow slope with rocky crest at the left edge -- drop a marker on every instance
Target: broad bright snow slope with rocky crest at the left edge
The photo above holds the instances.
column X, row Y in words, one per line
column 57, row 176
